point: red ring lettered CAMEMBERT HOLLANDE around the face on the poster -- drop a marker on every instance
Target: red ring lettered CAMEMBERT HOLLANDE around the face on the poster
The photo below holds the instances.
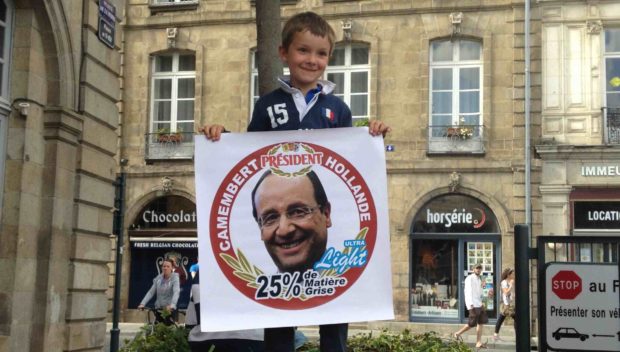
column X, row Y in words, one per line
column 292, row 289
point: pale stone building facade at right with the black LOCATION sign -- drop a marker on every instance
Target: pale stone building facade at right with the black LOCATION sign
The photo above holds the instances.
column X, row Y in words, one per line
column 580, row 142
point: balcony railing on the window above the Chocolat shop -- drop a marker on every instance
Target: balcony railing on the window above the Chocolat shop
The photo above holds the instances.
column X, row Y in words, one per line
column 162, row 146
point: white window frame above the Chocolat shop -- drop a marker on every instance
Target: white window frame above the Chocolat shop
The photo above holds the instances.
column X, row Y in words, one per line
column 175, row 75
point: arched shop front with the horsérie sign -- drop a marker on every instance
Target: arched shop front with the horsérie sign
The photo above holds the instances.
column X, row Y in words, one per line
column 450, row 234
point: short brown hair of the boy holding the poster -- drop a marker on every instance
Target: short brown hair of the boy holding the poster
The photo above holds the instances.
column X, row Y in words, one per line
column 307, row 21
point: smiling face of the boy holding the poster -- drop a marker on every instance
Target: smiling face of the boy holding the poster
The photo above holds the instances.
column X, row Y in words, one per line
column 307, row 58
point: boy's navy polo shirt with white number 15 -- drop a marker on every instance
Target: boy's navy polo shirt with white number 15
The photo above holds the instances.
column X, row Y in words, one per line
column 280, row 110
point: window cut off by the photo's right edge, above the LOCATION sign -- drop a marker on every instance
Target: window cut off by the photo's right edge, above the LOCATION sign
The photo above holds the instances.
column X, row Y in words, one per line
column 612, row 85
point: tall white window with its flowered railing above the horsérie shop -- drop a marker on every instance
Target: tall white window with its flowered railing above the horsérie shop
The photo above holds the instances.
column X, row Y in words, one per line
column 455, row 124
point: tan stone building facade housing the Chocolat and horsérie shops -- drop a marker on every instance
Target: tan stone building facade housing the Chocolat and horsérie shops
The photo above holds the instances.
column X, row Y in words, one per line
column 448, row 76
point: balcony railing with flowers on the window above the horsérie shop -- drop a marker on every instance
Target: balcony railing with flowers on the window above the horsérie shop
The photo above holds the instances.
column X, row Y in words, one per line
column 455, row 139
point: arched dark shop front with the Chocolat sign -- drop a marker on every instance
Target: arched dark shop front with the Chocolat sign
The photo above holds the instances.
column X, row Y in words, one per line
column 164, row 229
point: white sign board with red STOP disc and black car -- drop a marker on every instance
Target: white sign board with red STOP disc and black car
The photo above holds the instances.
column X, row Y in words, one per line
column 582, row 307
